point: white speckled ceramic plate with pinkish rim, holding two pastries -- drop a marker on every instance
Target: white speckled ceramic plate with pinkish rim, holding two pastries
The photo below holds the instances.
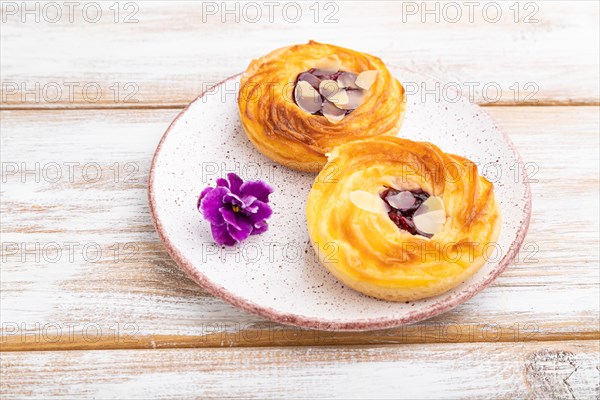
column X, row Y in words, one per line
column 276, row 274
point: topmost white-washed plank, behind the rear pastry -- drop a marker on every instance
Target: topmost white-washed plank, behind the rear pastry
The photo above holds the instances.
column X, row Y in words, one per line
column 550, row 59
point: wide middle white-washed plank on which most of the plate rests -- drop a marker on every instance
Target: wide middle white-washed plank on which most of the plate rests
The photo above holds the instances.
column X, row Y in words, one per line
column 120, row 289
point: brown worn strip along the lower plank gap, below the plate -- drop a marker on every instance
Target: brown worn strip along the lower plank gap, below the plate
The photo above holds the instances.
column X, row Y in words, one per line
column 252, row 338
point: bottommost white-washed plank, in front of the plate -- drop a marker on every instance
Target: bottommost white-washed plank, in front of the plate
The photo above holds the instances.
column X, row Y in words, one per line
column 523, row 370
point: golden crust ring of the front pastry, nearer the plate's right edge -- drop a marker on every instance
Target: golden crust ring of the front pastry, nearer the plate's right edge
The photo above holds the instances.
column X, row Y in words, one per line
column 368, row 252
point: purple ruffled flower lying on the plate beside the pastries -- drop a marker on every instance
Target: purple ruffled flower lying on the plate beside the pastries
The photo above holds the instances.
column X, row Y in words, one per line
column 235, row 209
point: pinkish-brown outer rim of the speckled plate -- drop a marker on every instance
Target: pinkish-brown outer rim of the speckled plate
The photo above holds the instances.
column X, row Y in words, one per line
column 439, row 307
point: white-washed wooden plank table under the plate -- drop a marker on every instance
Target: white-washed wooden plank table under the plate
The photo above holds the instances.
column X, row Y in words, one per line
column 92, row 305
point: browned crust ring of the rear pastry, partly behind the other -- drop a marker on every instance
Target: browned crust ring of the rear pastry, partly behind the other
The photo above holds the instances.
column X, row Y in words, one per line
column 287, row 134
